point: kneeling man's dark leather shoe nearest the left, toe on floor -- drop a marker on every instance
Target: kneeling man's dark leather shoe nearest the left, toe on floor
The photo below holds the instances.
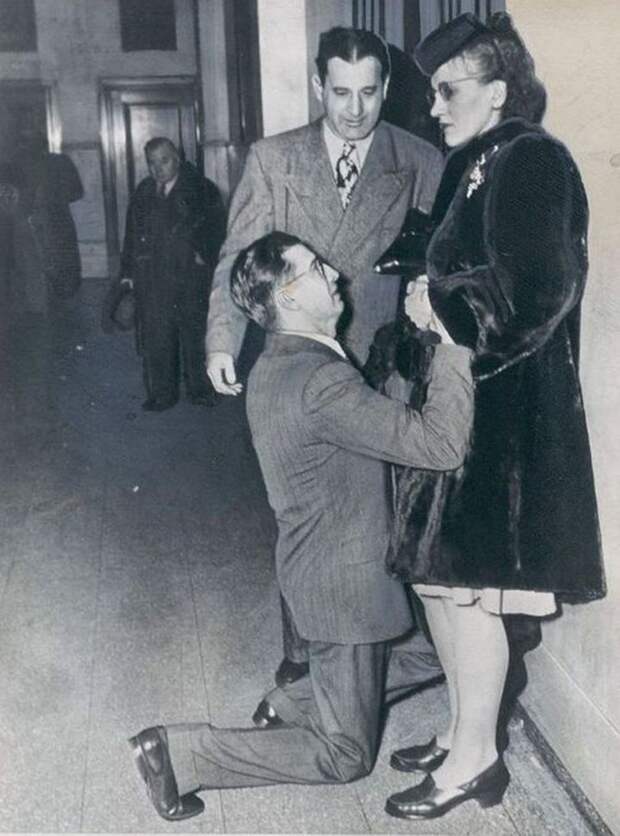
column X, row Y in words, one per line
column 150, row 750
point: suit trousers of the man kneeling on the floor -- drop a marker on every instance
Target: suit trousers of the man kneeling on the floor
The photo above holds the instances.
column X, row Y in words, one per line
column 332, row 721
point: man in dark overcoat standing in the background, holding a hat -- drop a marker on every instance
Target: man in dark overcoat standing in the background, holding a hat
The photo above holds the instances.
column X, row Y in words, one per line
column 175, row 227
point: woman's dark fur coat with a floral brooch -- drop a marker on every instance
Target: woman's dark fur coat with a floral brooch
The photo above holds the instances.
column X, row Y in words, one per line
column 507, row 266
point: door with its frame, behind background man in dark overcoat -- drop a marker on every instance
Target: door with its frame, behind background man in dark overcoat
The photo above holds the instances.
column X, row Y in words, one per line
column 132, row 113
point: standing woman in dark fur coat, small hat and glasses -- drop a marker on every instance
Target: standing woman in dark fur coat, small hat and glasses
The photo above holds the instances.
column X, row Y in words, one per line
column 517, row 528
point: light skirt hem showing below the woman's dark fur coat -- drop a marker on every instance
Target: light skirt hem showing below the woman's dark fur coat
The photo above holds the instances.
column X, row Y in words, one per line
column 496, row 601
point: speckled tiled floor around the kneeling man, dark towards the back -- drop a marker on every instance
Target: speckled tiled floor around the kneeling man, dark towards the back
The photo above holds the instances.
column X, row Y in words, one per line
column 136, row 587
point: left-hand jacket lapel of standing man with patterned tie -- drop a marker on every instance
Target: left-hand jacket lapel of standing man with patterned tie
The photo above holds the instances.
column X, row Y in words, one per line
column 312, row 186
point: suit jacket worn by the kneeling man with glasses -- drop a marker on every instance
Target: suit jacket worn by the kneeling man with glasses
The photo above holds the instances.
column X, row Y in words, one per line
column 323, row 436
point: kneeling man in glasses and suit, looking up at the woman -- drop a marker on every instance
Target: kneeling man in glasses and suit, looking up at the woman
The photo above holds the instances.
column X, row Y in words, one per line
column 322, row 436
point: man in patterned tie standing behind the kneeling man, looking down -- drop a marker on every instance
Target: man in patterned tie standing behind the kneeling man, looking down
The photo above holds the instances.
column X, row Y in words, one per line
column 342, row 184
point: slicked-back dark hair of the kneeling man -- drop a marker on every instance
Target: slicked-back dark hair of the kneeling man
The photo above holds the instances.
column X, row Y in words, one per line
column 257, row 272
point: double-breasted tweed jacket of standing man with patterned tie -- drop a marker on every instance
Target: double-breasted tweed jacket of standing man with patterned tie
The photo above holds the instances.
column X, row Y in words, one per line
column 288, row 185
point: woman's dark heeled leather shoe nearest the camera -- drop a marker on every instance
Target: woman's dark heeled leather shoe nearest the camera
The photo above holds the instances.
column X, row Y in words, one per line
column 428, row 801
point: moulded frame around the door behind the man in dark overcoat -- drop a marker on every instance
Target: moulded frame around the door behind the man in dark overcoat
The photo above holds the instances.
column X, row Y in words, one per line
column 113, row 152
